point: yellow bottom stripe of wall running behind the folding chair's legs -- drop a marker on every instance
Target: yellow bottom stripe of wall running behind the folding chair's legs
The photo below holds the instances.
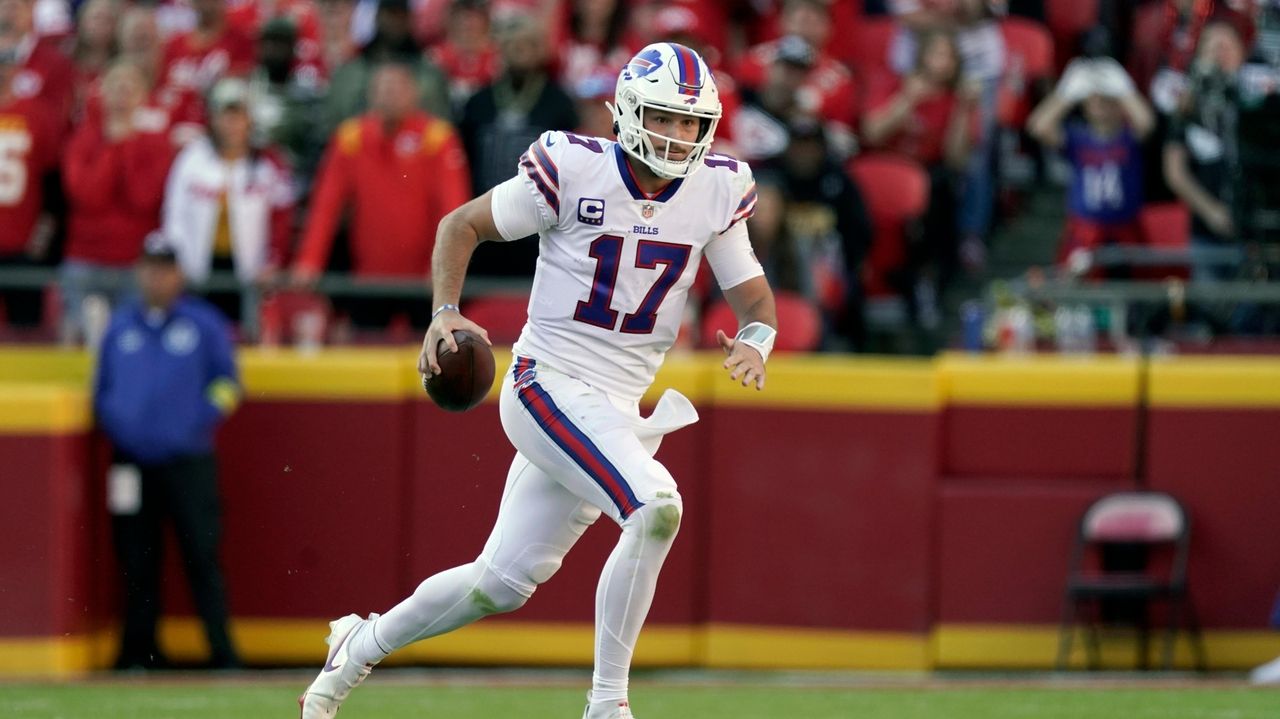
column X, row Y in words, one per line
column 1035, row 647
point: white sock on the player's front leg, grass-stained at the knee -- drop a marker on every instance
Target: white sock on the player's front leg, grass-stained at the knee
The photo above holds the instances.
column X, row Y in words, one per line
column 625, row 594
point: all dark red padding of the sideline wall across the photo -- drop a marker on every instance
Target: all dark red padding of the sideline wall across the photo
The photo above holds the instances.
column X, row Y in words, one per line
column 856, row 520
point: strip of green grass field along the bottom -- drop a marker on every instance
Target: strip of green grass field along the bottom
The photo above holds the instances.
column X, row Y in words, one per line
column 493, row 695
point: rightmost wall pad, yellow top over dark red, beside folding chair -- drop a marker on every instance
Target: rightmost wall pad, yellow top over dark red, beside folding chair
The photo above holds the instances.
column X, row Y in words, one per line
column 1214, row 442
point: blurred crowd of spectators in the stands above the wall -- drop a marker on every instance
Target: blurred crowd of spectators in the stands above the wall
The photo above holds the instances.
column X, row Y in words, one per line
column 931, row 172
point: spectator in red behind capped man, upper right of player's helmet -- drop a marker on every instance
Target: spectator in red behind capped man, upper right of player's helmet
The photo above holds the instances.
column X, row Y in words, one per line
column 829, row 89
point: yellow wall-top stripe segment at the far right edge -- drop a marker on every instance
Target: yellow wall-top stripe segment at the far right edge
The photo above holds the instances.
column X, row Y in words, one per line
column 1215, row 382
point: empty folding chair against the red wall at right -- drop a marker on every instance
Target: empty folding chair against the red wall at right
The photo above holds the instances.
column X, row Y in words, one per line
column 1131, row 552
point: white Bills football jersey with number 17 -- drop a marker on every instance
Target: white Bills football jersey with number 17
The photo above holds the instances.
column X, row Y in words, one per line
column 615, row 264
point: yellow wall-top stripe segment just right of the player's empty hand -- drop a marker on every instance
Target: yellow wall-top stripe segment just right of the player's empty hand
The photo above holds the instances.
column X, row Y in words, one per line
column 833, row 383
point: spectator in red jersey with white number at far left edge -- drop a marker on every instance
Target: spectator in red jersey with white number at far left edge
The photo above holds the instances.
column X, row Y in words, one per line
column 29, row 150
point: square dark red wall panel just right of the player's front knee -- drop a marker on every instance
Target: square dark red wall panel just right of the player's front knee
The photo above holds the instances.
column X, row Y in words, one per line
column 821, row 519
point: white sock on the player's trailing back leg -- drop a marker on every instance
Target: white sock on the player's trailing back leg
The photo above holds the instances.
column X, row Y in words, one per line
column 441, row 604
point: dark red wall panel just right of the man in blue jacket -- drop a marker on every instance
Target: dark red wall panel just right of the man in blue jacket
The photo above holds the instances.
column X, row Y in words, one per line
column 314, row 497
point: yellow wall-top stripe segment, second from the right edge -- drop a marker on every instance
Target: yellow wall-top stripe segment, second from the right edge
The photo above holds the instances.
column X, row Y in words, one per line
column 1040, row 382
